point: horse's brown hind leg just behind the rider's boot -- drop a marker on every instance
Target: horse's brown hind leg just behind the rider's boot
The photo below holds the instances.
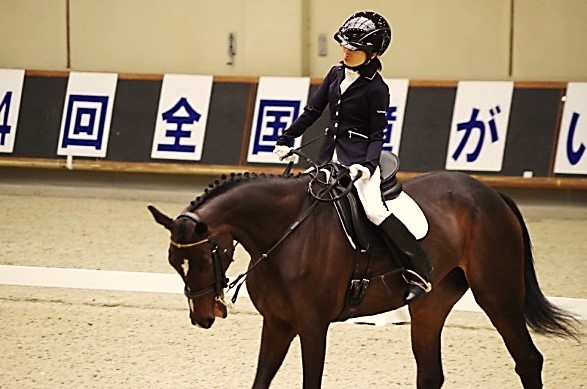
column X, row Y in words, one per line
column 427, row 320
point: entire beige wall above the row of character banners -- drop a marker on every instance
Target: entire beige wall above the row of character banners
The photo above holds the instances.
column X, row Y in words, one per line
column 434, row 40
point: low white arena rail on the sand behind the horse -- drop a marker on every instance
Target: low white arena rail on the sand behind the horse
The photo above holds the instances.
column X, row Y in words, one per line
column 171, row 283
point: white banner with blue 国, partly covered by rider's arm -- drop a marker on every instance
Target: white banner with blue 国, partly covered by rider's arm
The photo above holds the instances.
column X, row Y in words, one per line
column 280, row 100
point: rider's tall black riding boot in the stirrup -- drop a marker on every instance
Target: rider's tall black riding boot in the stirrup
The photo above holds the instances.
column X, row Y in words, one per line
column 418, row 273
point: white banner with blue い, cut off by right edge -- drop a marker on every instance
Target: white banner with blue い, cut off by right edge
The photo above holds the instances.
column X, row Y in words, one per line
column 571, row 156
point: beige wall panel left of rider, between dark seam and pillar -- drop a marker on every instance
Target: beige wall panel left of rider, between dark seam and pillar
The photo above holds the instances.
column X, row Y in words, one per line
column 182, row 36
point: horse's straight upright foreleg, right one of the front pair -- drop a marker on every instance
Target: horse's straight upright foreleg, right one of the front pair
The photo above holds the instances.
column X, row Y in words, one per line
column 313, row 343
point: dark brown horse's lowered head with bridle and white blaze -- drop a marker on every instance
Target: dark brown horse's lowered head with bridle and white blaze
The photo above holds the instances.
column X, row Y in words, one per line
column 201, row 259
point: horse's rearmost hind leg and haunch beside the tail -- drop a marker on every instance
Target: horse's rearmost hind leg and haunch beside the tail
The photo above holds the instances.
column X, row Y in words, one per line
column 496, row 277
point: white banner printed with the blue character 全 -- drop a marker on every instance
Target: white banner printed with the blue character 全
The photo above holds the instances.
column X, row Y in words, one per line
column 182, row 116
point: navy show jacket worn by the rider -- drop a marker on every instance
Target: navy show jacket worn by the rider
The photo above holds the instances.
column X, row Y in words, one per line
column 357, row 119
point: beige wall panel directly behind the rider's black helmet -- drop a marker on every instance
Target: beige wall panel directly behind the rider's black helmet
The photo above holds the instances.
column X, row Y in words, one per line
column 447, row 39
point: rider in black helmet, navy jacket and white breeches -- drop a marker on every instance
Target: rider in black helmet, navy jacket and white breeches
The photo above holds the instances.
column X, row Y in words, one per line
column 358, row 99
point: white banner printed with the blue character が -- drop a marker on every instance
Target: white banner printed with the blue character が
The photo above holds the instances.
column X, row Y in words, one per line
column 479, row 125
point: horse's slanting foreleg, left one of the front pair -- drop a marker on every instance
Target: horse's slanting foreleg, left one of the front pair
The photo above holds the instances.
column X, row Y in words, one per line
column 276, row 337
